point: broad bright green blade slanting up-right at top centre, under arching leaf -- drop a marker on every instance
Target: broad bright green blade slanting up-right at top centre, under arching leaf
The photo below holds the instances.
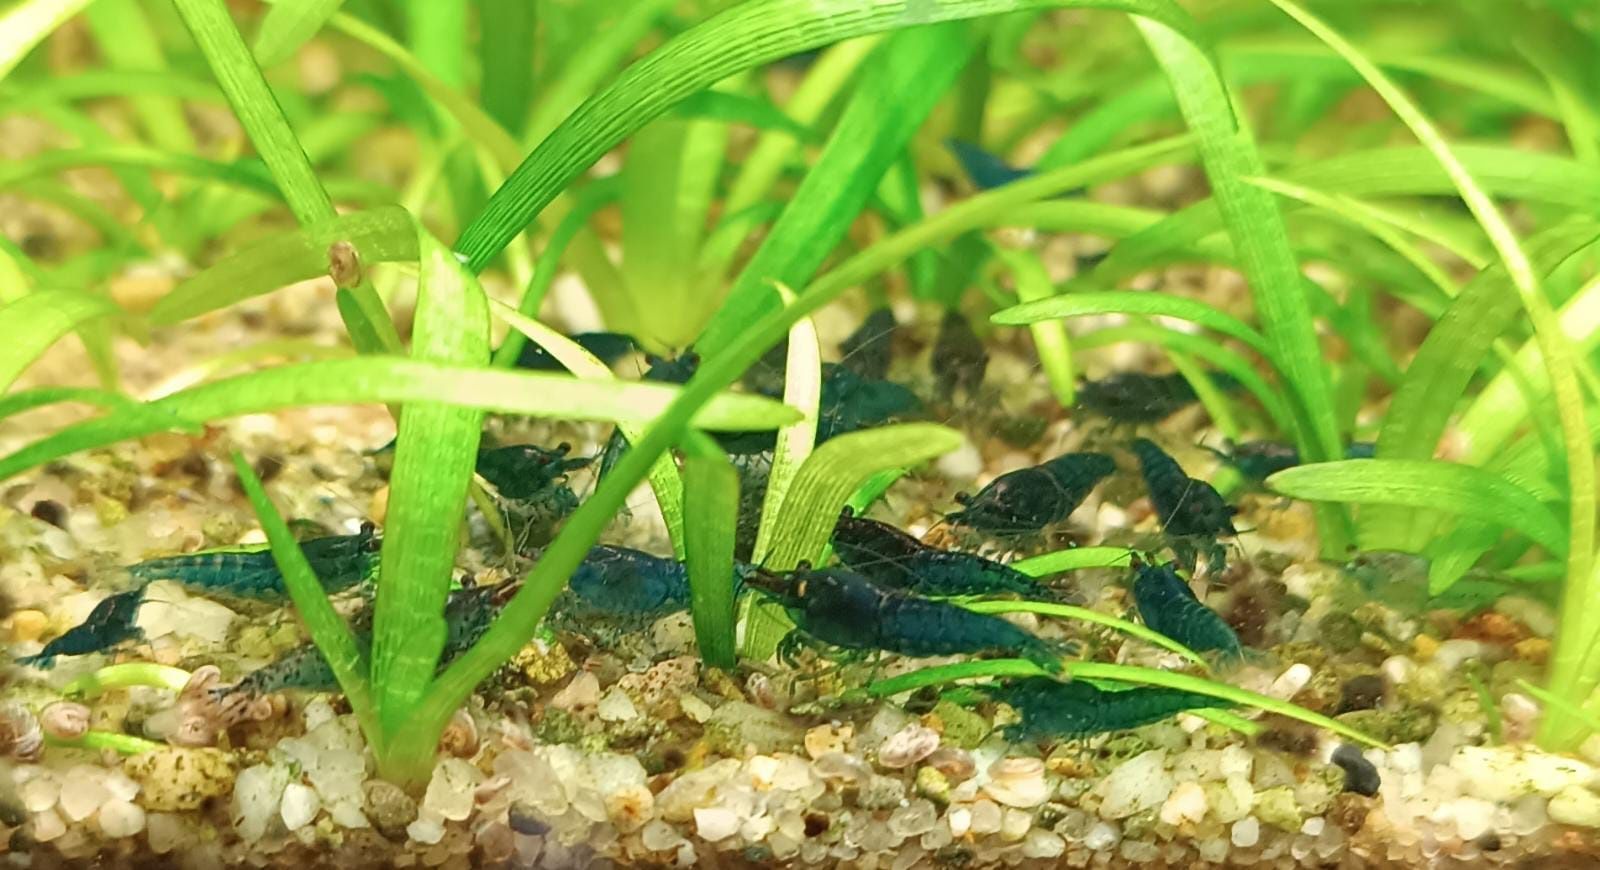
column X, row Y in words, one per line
column 902, row 82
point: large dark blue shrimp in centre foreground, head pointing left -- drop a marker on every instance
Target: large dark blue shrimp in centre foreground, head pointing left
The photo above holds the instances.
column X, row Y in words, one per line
column 842, row 609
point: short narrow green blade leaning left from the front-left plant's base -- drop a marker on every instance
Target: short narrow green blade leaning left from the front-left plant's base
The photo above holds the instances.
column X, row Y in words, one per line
column 327, row 628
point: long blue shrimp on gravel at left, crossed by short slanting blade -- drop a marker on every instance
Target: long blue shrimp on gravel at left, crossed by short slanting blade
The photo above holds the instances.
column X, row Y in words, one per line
column 340, row 564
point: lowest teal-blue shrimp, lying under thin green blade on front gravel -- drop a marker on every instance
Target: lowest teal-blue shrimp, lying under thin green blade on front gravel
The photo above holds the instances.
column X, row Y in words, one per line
column 1055, row 709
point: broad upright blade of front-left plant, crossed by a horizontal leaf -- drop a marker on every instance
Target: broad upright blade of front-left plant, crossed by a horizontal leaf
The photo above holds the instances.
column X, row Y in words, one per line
column 436, row 452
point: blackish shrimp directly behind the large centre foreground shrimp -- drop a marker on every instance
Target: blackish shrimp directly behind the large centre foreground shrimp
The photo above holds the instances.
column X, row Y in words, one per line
column 894, row 559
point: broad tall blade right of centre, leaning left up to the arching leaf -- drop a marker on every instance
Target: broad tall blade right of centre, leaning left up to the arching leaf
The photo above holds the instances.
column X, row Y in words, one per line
column 1262, row 242
